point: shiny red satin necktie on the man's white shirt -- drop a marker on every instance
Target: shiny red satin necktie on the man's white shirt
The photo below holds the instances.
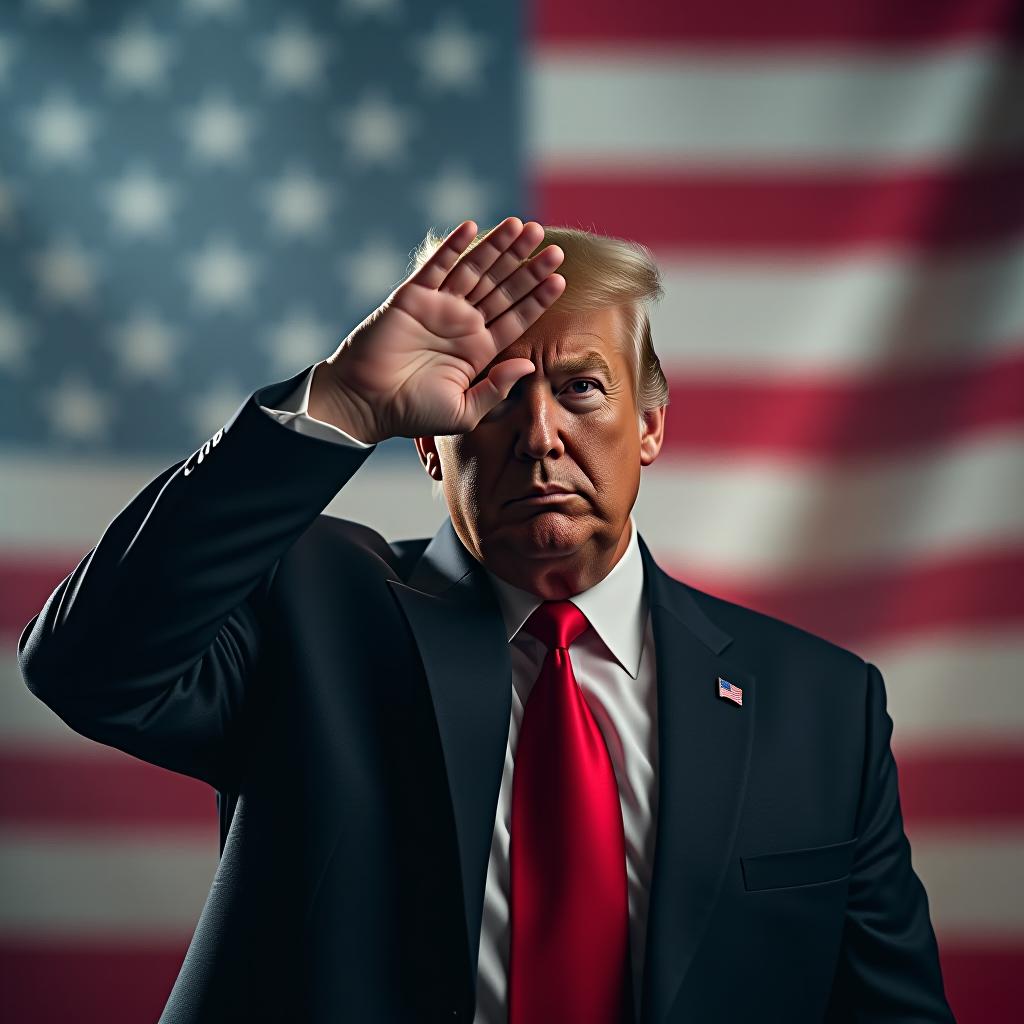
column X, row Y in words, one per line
column 570, row 955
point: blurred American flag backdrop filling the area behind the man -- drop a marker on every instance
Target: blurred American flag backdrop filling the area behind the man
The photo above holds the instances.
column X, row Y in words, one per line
column 203, row 197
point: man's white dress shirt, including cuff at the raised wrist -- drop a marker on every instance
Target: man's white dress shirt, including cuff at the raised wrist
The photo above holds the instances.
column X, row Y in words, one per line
column 614, row 663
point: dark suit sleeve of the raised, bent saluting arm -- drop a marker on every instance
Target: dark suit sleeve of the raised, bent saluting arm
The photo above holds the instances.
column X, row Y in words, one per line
column 149, row 644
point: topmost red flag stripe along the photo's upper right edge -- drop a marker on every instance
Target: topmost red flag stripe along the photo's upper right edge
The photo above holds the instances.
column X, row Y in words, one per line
column 879, row 23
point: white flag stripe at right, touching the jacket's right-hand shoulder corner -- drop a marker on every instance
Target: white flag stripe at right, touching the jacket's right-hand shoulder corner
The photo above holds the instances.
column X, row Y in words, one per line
column 954, row 690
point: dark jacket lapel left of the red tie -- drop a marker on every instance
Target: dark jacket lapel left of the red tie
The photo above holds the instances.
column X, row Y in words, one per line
column 457, row 622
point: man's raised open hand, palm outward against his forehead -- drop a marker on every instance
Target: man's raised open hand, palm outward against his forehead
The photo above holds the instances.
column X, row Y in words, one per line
column 407, row 370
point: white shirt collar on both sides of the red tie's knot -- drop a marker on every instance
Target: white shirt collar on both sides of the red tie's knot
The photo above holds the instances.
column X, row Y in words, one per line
column 615, row 606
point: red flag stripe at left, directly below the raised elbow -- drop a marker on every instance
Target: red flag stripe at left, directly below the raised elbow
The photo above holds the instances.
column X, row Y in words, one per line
column 106, row 789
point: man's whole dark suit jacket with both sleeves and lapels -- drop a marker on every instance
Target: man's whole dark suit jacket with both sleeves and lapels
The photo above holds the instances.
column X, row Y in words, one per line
column 350, row 700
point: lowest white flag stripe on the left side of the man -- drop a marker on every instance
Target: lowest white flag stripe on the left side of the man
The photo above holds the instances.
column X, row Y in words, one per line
column 69, row 883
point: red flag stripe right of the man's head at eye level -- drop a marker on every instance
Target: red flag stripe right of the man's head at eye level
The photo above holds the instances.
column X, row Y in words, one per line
column 831, row 418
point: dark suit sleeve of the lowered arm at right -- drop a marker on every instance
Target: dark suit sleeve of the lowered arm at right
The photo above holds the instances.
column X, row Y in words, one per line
column 889, row 970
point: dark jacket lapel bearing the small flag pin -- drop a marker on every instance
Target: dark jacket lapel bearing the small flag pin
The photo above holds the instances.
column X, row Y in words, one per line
column 705, row 745
